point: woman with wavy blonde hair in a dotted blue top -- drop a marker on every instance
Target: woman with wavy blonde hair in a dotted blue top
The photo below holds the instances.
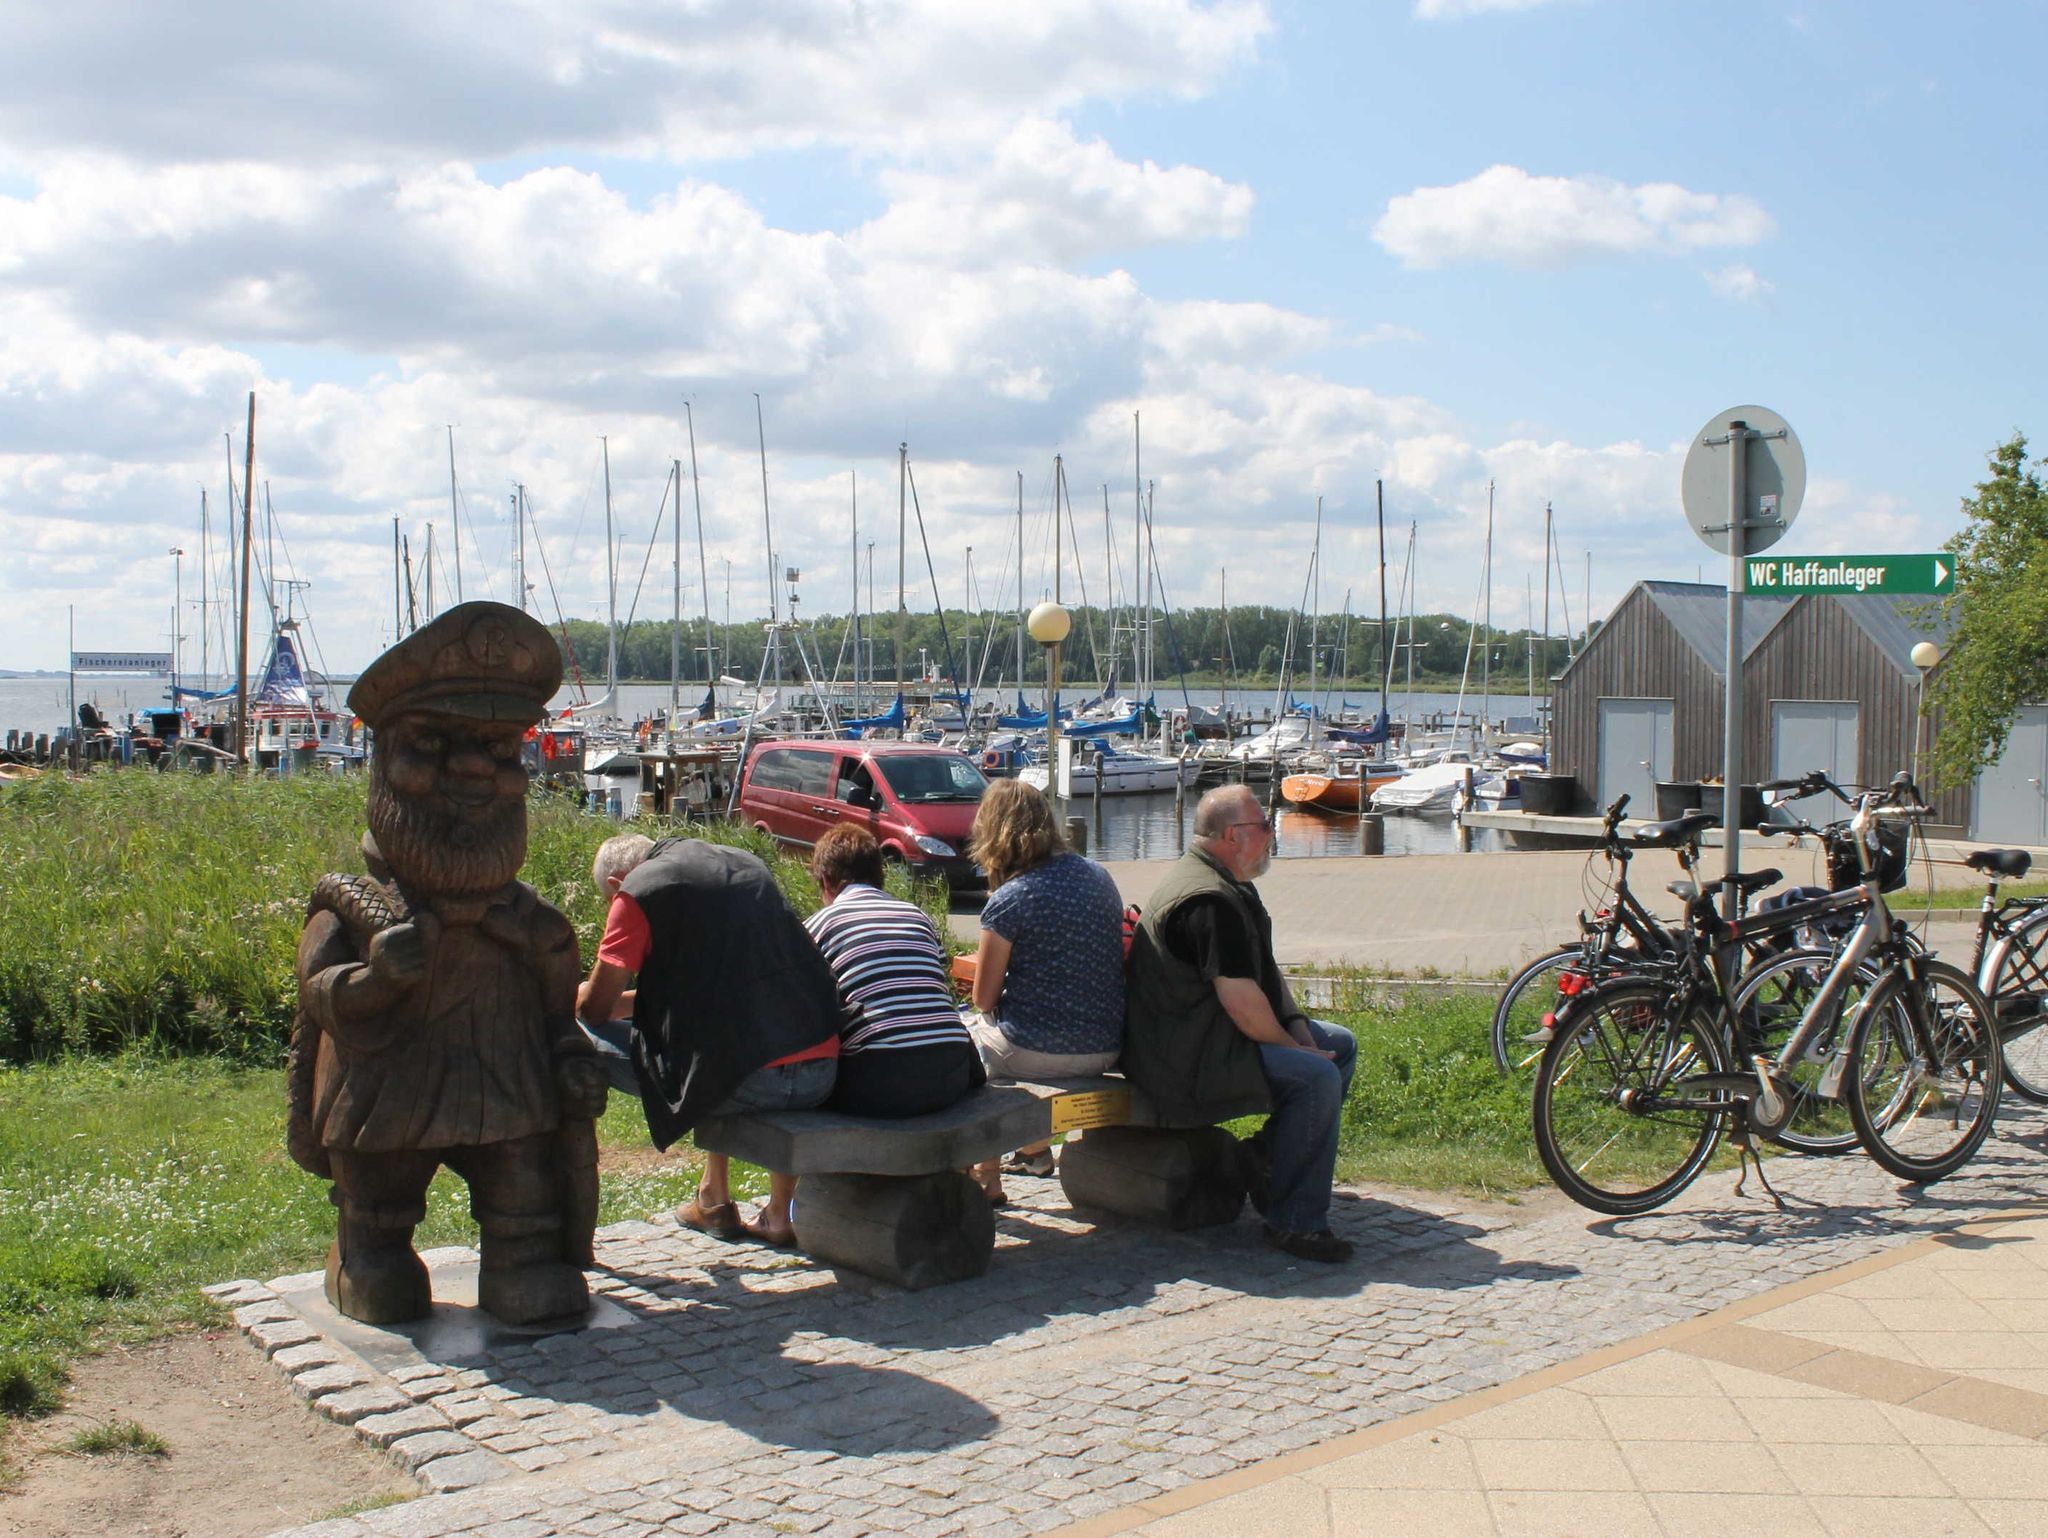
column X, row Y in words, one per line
column 1050, row 974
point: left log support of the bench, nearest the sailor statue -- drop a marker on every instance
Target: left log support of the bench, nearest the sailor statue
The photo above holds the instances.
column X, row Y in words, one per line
column 908, row 1230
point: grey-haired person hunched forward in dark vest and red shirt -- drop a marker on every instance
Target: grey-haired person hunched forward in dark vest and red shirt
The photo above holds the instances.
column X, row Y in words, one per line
column 734, row 1011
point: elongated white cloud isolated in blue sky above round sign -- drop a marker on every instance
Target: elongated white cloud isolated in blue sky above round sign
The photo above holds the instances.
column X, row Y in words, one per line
column 1510, row 216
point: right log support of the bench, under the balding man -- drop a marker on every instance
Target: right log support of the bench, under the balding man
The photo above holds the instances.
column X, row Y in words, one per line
column 1181, row 1179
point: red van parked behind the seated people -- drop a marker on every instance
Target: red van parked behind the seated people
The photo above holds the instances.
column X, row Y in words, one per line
column 919, row 800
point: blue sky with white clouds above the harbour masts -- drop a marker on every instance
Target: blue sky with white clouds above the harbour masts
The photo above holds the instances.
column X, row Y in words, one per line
column 1287, row 249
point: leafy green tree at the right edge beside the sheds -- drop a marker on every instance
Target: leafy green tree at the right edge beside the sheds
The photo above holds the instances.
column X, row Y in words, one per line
column 1998, row 617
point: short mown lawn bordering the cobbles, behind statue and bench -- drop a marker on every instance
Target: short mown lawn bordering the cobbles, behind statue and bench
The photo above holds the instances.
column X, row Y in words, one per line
column 130, row 1183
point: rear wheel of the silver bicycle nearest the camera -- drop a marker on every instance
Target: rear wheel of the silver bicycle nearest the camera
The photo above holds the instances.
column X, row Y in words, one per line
column 1621, row 1123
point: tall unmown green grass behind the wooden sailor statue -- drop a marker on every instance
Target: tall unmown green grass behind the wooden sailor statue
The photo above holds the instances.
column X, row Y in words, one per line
column 163, row 910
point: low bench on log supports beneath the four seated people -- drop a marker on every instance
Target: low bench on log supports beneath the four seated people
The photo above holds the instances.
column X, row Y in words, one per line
column 888, row 1197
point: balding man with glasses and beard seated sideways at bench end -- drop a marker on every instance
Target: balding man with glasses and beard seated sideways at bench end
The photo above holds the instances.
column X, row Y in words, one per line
column 1211, row 1023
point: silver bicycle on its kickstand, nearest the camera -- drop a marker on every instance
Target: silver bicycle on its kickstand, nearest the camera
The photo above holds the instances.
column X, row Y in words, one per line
column 1646, row 1074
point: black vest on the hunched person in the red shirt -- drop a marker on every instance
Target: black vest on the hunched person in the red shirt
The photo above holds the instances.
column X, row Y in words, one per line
column 732, row 982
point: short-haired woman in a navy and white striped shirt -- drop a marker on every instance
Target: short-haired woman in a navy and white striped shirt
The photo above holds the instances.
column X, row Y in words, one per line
column 904, row 1050
